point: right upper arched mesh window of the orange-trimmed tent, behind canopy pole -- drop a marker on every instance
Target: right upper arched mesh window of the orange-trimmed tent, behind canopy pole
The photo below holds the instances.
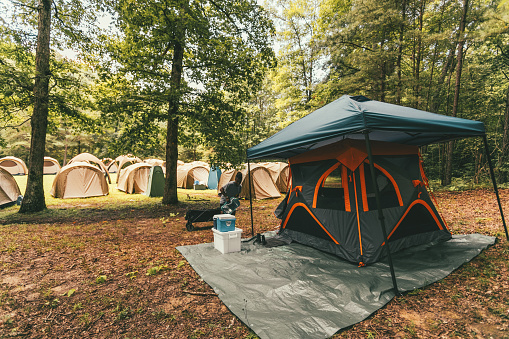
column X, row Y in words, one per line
column 388, row 195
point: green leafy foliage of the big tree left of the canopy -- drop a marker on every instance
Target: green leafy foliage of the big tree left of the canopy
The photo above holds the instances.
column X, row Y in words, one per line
column 226, row 55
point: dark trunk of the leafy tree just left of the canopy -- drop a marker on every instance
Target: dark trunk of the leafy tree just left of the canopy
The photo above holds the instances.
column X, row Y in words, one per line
column 170, row 185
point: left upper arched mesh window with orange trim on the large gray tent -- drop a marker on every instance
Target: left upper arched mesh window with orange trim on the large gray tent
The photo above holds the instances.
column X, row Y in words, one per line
column 331, row 194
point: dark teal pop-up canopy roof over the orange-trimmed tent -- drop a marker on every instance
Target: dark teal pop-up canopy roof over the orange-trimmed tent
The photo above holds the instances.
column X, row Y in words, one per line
column 350, row 116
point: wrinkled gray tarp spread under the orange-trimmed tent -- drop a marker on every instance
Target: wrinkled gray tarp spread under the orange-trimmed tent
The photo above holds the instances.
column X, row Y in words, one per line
column 295, row 291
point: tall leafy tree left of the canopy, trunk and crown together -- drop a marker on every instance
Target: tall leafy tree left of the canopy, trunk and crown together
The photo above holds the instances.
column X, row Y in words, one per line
column 192, row 56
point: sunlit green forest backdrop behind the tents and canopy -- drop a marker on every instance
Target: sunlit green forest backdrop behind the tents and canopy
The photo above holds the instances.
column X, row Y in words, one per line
column 211, row 79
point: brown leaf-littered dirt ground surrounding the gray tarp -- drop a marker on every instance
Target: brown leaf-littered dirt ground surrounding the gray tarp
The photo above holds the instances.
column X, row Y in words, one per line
column 102, row 273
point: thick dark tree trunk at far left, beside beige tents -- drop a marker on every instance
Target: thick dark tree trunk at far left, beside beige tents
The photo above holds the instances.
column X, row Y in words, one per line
column 33, row 200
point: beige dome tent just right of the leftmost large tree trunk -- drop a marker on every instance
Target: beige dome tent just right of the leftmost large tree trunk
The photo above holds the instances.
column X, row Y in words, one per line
column 79, row 180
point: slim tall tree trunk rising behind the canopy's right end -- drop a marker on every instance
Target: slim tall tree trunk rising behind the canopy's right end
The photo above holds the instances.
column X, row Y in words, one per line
column 459, row 65
